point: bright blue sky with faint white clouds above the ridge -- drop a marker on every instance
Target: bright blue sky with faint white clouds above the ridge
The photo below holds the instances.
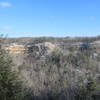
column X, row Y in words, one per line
column 57, row 18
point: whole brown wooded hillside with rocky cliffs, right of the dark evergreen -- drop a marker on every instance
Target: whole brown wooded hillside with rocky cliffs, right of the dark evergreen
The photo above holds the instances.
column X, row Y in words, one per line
column 57, row 68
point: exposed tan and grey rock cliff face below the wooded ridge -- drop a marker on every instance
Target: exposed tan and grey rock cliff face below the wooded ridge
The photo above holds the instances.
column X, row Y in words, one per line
column 15, row 48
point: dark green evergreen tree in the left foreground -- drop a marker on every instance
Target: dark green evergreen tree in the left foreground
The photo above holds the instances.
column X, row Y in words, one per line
column 10, row 85
